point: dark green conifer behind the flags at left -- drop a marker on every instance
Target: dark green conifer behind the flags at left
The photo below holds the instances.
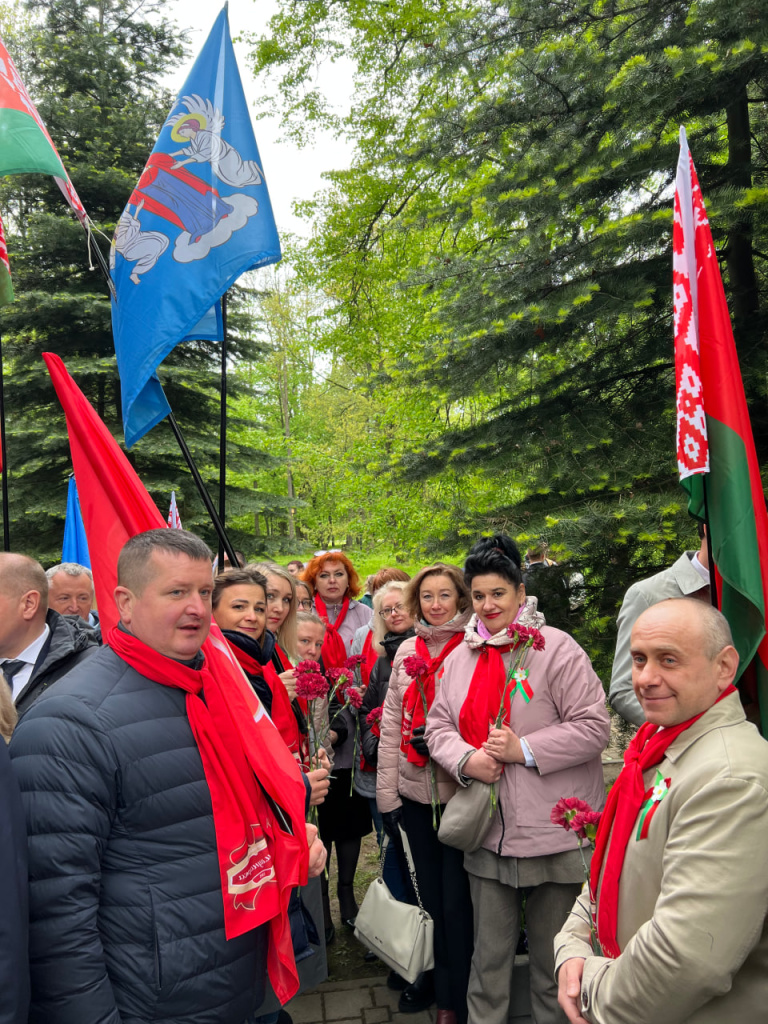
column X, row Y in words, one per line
column 94, row 69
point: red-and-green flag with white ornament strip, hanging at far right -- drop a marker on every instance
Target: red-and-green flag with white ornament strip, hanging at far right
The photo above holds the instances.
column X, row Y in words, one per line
column 716, row 450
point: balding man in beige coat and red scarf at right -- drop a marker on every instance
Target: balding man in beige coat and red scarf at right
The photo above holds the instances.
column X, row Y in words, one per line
column 679, row 862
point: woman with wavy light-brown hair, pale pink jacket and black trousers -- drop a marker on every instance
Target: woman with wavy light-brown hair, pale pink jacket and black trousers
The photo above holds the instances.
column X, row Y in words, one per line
column 439, row 602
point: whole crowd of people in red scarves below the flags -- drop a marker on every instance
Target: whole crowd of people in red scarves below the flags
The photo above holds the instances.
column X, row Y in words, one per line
column 172, row 796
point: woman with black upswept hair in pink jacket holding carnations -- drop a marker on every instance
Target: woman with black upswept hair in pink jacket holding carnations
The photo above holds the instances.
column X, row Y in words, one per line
column 550, row 749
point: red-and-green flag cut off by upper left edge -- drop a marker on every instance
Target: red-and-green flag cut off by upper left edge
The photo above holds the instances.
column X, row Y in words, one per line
column 26, row 147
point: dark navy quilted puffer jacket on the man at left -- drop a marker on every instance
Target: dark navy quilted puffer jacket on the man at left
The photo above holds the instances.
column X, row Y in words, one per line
column 125, row 897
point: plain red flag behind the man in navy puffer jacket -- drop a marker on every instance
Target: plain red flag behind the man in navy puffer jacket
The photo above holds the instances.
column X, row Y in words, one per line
column 116, row 506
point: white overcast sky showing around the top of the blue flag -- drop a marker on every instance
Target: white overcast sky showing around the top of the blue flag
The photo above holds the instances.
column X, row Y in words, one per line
column 291, row 174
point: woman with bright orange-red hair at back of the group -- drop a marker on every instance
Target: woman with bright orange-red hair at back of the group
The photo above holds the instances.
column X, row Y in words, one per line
column 346, row 817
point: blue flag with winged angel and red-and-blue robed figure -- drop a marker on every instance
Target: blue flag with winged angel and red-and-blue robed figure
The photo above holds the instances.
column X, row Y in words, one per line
column 199, row 218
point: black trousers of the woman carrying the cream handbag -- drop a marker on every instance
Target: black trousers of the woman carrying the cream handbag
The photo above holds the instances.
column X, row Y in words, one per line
column 444, row 886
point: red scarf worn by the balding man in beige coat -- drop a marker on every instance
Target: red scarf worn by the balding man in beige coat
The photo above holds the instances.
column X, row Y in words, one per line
column 622, row 808
